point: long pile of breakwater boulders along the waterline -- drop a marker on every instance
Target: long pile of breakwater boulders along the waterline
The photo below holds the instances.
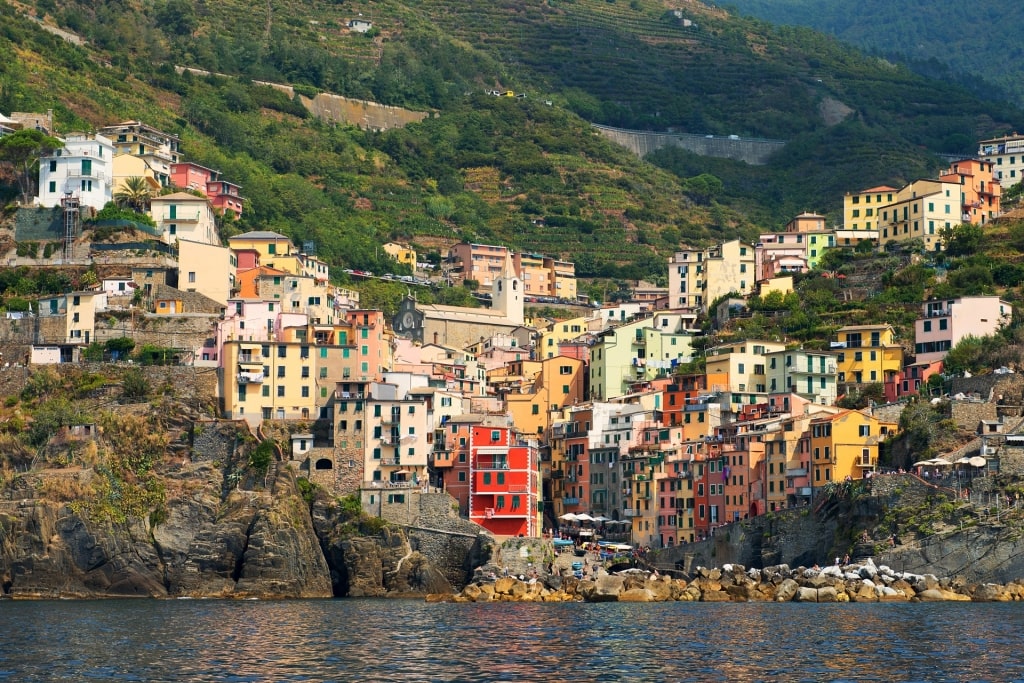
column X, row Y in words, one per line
column 734, row 583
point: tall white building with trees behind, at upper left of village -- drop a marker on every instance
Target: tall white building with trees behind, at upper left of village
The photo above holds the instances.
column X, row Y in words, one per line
column 82, row 168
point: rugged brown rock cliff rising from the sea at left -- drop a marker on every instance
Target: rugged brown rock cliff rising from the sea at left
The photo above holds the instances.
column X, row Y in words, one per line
column 222, row 531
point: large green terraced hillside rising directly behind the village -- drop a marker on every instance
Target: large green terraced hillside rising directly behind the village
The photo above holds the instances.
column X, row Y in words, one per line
column 526, row 173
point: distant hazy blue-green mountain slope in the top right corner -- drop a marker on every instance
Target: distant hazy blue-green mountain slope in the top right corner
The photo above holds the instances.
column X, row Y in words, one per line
column 977, row 45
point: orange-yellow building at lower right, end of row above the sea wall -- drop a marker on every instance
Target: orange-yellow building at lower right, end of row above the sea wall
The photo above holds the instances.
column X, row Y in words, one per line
column 846, row 446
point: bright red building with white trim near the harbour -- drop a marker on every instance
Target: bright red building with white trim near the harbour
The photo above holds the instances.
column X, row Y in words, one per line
column 503, row 483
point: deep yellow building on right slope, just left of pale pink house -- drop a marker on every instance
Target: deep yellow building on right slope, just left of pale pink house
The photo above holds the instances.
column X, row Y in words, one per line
column 867, row 354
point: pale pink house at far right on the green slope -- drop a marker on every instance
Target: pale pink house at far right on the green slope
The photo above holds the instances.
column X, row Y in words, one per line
column 946, row 323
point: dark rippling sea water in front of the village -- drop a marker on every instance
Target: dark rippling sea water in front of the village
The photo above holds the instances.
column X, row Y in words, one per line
column 409, row 641
